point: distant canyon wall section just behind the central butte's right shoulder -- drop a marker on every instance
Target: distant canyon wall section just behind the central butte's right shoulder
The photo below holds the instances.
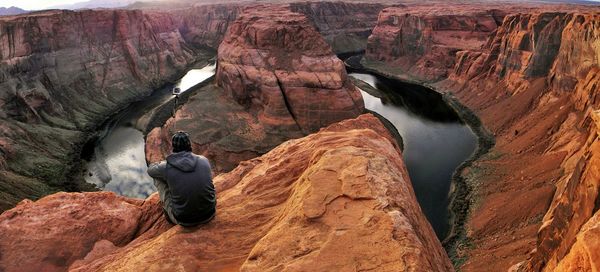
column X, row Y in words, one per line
column 345, row 26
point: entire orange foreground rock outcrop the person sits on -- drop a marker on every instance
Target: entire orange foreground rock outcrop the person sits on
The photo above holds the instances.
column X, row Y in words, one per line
column 344, row 202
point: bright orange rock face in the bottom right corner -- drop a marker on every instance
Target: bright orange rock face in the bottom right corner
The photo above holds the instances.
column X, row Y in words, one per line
column 566, row 237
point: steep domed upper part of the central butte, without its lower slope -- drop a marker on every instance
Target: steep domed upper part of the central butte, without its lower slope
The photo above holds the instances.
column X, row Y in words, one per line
column 275, row 63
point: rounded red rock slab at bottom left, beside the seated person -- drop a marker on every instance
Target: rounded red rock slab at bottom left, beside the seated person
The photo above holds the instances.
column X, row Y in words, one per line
column 50, row 234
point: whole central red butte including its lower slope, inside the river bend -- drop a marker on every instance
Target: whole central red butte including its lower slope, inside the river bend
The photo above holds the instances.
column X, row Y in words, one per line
column 277, row 79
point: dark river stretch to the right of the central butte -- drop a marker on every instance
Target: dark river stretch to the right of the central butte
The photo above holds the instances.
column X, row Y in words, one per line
column 435, row 140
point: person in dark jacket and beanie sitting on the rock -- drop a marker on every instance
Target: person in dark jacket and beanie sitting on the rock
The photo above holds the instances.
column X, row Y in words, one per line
column 184, row 183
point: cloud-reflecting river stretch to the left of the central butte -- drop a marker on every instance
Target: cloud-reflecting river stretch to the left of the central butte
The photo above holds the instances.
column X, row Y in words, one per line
column 118, row 162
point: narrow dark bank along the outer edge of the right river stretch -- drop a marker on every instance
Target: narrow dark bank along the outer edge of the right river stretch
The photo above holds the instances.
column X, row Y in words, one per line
column 461, row 198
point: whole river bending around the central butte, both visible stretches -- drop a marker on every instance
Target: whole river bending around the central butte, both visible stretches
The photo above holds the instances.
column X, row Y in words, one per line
column 435, row 140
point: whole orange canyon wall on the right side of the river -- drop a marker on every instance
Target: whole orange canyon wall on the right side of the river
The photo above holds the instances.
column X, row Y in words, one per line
column 534, row 83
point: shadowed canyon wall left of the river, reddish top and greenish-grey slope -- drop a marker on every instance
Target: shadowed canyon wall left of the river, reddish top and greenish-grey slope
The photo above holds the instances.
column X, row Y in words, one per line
column 62, row 73
